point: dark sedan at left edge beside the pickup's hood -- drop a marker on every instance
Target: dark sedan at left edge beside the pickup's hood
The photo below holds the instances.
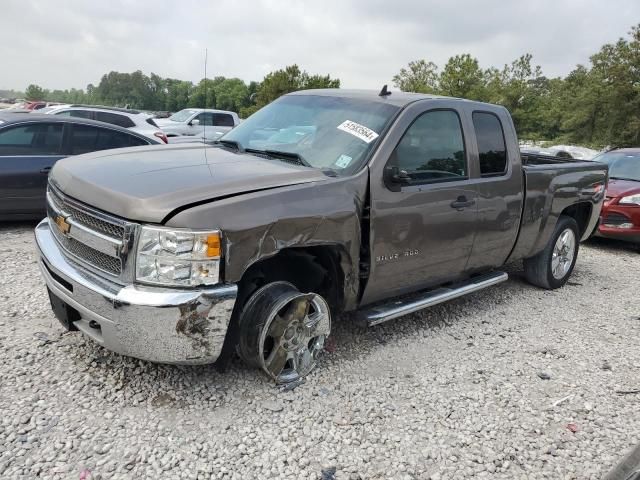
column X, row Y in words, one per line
column 30, row 144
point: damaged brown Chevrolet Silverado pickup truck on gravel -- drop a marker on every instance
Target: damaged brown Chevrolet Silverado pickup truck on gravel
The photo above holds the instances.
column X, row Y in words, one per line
column 322, row 202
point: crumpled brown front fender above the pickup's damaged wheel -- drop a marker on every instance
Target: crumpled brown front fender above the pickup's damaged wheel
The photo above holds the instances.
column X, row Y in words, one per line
column 258, row 225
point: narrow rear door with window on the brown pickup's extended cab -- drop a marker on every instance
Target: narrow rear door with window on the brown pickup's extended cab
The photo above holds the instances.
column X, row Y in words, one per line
column 496, row 167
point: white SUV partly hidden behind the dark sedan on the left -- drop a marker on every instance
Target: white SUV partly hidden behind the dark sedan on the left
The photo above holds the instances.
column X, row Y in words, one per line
column 139, row 122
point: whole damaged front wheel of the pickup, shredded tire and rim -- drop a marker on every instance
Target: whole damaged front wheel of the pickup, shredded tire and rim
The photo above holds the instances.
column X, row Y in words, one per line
column 282, row 331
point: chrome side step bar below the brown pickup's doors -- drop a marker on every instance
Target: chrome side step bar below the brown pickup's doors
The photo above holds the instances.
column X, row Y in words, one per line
column 398, row 308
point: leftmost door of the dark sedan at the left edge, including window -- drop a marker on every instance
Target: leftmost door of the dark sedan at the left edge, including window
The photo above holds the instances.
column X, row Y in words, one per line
column 27, row 153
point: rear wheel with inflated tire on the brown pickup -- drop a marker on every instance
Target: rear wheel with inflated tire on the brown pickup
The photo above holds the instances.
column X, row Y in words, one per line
column 552, row 267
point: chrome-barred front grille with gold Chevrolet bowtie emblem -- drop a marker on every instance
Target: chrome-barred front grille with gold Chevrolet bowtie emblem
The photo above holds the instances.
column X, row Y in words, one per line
column 93, row 239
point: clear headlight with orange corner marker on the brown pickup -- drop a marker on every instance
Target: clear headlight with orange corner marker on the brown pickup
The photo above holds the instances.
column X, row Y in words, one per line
column 182, row 258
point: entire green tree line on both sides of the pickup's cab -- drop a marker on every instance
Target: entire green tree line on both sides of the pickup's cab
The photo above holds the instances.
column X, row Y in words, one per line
column 596, row 104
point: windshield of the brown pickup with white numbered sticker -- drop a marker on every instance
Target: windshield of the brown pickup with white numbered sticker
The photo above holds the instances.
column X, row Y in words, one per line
column 327, row 132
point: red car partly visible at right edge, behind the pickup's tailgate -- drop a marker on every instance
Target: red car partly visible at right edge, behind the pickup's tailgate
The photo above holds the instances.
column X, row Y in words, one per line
column 620, row 217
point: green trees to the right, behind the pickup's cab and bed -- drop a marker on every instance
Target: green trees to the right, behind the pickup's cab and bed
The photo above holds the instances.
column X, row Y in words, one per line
column 596, row 105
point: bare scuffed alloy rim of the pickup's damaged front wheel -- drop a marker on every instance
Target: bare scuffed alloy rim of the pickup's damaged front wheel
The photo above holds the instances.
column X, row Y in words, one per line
column 294, row 336
